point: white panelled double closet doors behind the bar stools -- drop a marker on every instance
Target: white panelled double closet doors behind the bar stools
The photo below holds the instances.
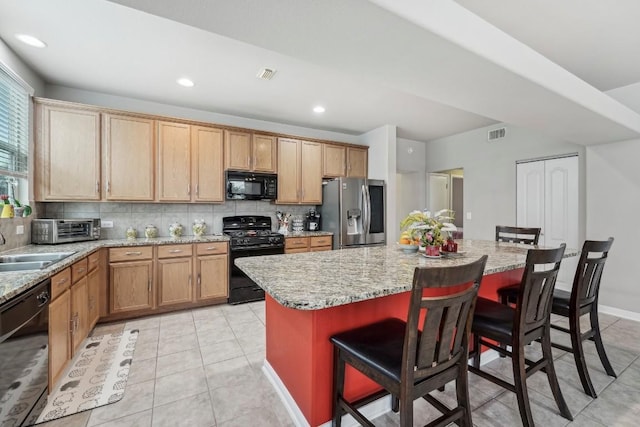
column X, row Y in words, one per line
column 547, row 197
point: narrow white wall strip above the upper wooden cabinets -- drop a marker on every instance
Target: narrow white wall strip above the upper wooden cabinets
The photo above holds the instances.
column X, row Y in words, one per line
column 148, row 107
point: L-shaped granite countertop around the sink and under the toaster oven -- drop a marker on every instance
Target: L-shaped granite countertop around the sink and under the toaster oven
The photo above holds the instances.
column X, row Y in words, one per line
column 16, row 282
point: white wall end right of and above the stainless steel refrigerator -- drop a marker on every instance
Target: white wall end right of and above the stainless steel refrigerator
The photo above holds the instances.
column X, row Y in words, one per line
column 382, row 165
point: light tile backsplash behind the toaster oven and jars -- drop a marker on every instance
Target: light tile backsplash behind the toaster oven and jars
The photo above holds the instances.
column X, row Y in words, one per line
column 138, row 215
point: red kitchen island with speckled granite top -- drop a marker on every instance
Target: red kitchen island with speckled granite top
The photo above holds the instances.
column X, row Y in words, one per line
column 311, row 296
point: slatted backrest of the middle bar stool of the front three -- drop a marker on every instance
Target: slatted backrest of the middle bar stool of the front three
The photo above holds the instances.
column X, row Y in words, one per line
column 536, row 290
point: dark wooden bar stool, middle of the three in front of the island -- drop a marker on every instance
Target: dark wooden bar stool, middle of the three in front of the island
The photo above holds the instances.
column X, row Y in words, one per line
column 519, row 326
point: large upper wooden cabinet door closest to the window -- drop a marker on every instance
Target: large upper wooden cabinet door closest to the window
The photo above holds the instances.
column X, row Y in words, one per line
column 67, row 154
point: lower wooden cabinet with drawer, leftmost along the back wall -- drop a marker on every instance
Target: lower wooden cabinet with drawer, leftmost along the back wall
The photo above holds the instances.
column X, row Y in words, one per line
column 130, row 279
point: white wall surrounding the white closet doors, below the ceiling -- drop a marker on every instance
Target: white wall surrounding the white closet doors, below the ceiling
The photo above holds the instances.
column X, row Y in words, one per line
column 490, row 172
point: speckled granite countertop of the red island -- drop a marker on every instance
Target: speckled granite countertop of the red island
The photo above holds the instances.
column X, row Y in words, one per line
column 317, row 280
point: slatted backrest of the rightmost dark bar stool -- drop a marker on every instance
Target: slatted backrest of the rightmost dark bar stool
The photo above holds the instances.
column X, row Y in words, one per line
column 586, row 282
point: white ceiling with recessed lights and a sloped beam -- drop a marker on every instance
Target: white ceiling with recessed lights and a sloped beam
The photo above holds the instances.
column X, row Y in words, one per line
column 430, row 67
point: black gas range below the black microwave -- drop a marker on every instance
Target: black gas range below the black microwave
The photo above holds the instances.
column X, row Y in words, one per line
column 250, row 236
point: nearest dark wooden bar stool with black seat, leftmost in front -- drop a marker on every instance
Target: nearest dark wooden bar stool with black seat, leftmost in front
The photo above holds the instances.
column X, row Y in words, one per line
column 410, row 359
